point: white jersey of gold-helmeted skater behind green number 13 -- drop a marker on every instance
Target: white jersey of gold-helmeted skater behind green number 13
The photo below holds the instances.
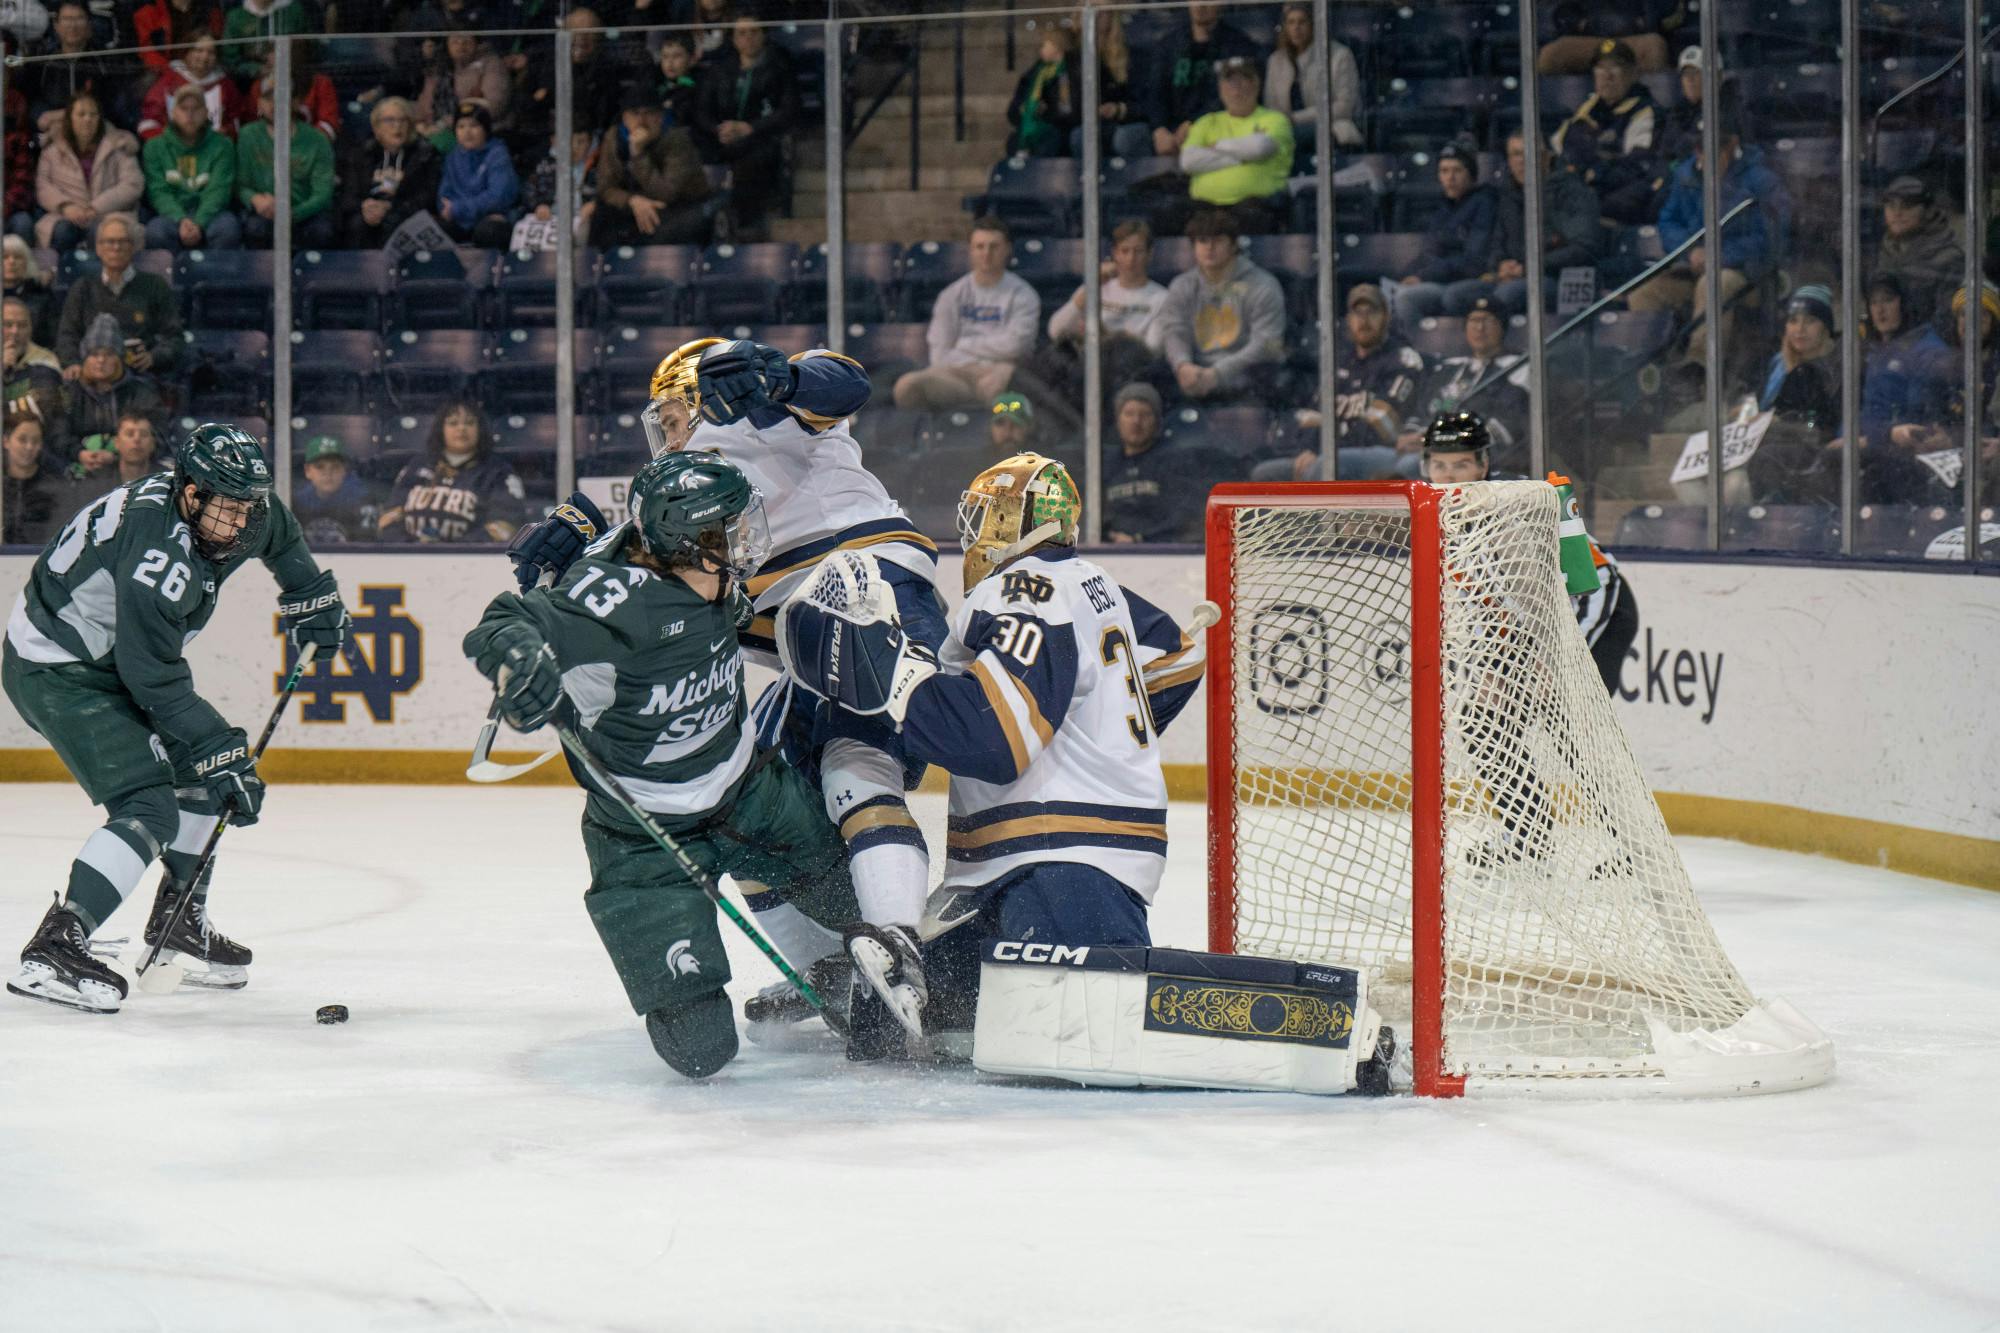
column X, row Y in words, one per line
column 819, row 495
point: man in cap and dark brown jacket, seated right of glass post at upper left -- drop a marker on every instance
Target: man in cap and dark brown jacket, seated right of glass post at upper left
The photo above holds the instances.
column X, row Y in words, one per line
column 651, row 183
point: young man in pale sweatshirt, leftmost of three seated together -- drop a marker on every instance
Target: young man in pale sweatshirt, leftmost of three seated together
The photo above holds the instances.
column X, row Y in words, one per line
column 981, row 327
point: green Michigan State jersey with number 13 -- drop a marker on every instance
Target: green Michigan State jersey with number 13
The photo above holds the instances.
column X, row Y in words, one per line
column 653, row 680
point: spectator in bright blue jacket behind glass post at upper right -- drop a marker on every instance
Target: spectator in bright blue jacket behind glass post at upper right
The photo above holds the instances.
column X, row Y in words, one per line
column 1749, row 243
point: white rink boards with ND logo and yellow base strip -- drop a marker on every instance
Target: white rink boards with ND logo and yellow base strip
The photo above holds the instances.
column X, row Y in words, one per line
column 1831, row 710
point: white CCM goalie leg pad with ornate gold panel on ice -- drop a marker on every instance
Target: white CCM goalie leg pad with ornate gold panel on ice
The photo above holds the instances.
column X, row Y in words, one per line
column 1171, row 1018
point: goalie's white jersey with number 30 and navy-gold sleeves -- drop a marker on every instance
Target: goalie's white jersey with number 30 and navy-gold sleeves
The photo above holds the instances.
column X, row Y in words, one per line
column 1049, row 716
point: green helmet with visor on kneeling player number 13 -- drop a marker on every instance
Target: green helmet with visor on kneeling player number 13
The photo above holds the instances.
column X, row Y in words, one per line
column 699, row 509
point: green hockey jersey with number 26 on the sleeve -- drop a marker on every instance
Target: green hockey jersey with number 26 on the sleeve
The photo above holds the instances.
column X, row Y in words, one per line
column 123, row 589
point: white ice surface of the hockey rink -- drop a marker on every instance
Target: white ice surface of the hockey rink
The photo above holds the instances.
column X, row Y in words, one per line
column 491, row 1142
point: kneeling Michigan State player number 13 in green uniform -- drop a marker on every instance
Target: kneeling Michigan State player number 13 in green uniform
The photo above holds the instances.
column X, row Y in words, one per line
column 637, row 647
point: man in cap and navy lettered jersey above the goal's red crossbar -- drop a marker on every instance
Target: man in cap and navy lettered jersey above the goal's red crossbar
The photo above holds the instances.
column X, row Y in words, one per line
column 1375, row 383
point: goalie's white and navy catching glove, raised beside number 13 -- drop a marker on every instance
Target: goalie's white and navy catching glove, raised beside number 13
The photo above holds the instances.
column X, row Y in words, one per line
column 839, row 635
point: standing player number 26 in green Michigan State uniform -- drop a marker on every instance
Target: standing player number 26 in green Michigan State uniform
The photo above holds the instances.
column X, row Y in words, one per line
column 95, row 663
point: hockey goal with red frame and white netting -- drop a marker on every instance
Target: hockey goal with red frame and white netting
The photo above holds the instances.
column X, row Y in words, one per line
column 1415, row 768
